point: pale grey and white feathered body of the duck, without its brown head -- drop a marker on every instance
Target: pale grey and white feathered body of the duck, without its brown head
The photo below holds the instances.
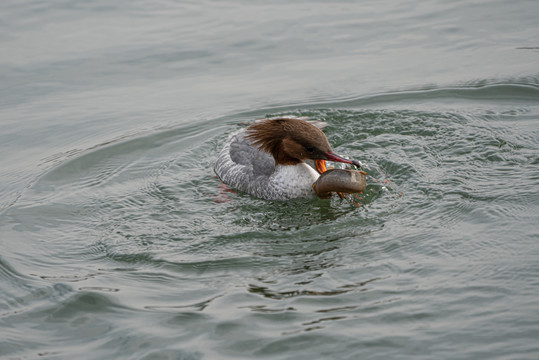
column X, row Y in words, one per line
column 242, row 166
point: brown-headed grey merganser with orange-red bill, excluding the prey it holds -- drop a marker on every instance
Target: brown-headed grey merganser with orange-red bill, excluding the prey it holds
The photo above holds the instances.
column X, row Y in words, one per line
column 266, row 159
